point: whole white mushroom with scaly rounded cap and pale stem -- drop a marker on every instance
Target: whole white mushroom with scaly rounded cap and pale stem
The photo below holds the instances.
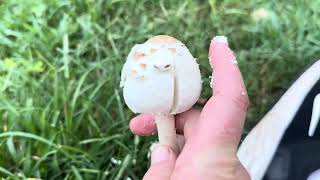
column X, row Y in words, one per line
column 161, row 77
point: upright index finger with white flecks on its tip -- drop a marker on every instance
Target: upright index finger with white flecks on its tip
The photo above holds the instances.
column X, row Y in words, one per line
column 225, row 112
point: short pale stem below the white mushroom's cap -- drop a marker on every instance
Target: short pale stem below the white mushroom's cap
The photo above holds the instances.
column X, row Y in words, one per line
column 167, row 131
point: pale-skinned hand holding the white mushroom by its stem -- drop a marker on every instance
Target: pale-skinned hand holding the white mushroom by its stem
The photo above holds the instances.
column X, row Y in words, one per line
column 211, row 136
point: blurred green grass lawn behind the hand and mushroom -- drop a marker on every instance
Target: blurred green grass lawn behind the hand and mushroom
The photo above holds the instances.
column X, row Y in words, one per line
column 62, row 114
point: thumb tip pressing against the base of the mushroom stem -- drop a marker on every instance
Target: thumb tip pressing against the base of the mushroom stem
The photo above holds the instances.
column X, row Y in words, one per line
column 162, row 163
